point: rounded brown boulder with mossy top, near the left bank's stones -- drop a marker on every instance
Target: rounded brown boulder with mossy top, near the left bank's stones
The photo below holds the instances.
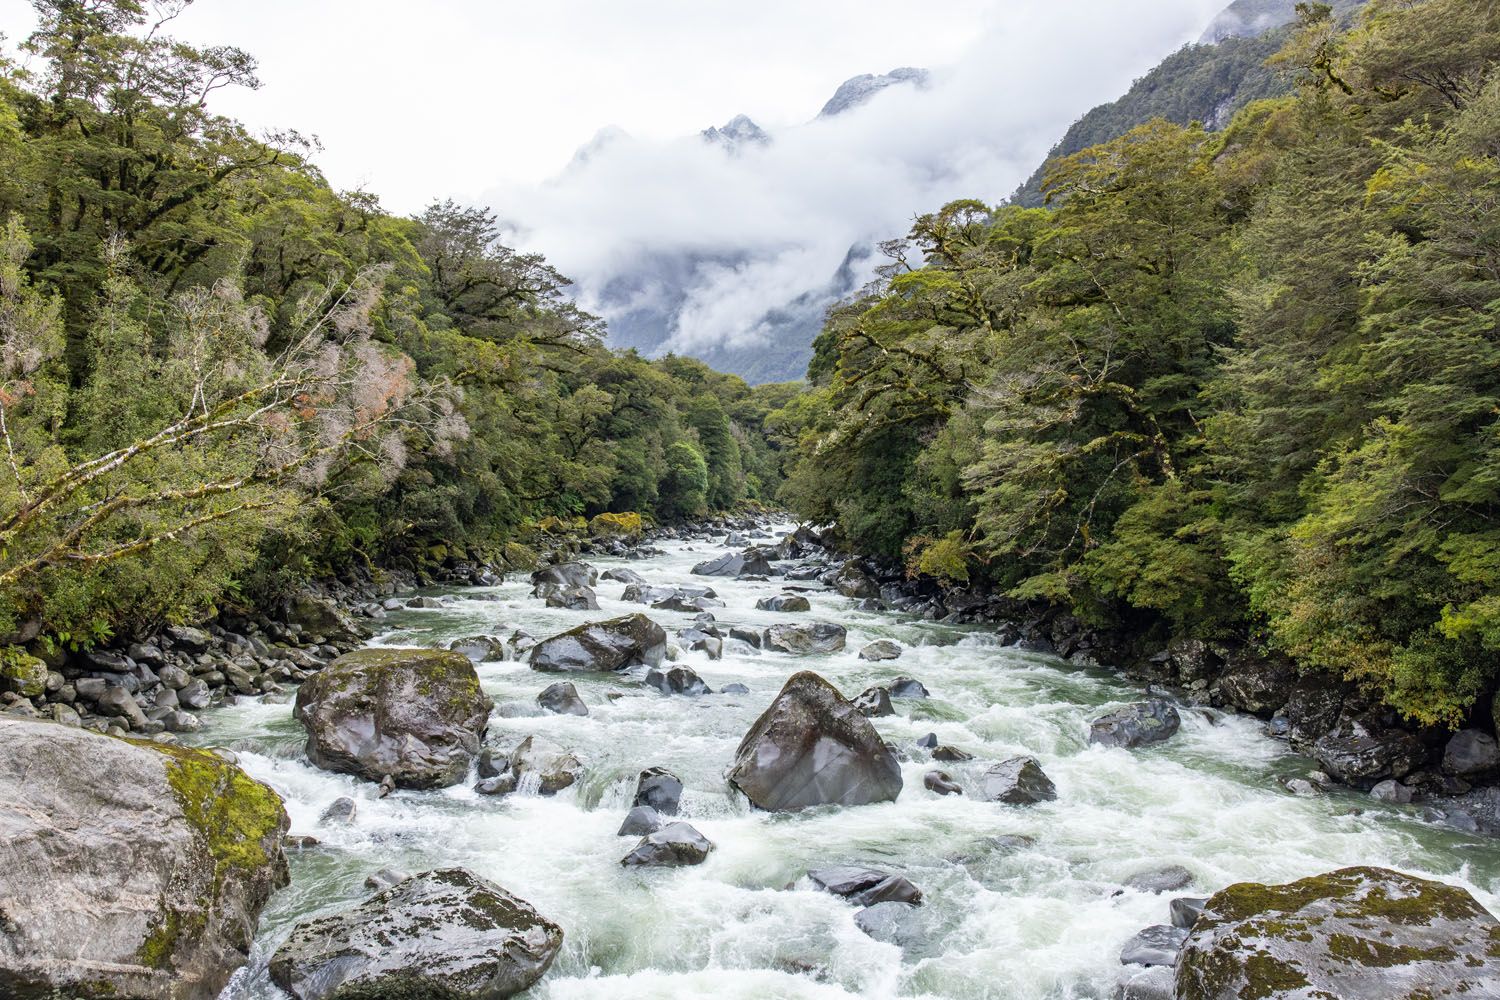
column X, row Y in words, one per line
column 413, row 714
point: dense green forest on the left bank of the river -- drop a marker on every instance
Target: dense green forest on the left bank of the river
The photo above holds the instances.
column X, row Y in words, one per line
column 223, row 377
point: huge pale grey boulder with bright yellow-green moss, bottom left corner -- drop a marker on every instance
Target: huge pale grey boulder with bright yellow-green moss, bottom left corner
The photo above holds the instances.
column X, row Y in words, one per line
column 128, row 870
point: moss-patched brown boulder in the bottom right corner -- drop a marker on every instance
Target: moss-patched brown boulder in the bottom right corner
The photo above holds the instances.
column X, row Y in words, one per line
column 1351, row 933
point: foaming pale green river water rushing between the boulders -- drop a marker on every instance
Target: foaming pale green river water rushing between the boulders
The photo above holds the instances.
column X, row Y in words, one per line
column 1021, row 902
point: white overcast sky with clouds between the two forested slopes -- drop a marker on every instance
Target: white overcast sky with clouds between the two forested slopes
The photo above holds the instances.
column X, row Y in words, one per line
column 488, row 101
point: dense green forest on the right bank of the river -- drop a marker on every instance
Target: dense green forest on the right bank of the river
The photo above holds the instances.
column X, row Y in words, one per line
column 1237, row 385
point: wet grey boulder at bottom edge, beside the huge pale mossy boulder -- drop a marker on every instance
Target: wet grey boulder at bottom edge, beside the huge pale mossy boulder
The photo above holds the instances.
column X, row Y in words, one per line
column 439, row 935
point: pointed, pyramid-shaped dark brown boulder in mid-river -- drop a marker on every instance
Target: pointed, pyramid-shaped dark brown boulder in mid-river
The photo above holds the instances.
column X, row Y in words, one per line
column 812, row 747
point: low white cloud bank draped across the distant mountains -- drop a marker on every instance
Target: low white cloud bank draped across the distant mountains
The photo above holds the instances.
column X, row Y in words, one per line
column 713, row 239
